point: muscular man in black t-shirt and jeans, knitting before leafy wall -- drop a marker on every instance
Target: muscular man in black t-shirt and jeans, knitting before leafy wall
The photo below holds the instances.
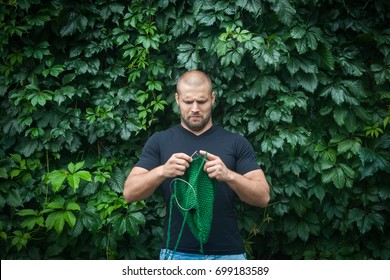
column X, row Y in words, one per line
column 230, row 160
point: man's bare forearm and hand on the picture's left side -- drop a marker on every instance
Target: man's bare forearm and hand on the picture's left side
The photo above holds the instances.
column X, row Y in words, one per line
column 141, row 183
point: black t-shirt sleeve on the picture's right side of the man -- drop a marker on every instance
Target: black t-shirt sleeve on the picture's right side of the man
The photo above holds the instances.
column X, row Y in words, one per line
column 246, row 156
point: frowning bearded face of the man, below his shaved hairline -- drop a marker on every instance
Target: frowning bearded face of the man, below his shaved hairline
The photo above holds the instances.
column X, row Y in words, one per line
column 195, row 104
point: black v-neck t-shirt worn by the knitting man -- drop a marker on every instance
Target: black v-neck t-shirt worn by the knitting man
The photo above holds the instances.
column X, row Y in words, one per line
column 237, row 154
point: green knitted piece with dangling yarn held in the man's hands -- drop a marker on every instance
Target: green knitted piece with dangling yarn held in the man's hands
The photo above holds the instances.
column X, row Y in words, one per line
column 193, row 194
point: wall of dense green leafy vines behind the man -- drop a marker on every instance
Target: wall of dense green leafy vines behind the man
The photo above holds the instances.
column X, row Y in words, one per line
column 83, row 84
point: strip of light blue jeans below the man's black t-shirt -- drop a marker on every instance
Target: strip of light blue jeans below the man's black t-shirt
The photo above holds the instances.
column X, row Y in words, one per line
column 166, row 254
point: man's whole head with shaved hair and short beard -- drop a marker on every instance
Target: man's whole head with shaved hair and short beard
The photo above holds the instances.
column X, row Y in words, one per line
column 195, row 98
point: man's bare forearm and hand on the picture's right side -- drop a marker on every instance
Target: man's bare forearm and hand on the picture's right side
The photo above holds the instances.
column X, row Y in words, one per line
column 251, row 187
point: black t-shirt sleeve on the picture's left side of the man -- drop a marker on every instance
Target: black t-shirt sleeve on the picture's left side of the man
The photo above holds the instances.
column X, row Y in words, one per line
column 150, row 155
